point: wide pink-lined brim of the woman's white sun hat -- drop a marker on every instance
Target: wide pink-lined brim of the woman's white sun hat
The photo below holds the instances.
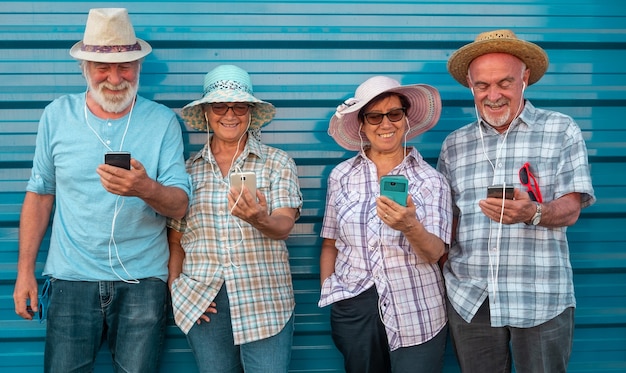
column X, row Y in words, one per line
column 423, row 115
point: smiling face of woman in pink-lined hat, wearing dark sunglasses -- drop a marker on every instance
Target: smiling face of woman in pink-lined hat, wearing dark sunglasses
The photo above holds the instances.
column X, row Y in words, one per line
column 387, row 136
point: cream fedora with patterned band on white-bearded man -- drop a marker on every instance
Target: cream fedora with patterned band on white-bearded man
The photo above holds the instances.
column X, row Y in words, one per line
column 110, row 38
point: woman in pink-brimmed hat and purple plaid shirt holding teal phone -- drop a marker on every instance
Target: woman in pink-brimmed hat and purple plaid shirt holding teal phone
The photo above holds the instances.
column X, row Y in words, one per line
column 379, row 261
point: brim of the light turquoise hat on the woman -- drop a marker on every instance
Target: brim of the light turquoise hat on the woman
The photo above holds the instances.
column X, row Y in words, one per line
column 262, row 113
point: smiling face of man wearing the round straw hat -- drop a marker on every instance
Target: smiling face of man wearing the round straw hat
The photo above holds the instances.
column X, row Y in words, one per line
column 497, row 81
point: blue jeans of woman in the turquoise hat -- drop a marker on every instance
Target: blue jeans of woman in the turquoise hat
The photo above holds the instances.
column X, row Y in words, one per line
column 215, row 350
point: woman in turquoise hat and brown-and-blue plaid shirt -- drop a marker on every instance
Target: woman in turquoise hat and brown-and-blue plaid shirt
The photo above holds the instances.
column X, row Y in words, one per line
column 230, row 280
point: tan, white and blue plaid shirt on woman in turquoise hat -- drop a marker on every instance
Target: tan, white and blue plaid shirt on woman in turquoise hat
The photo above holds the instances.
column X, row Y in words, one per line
column 220, row 248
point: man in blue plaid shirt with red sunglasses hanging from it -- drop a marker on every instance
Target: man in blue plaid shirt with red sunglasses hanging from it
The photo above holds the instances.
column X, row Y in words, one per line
column 508, row 274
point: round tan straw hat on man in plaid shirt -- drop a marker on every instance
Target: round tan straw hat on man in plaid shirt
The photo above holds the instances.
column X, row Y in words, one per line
column 498, row 41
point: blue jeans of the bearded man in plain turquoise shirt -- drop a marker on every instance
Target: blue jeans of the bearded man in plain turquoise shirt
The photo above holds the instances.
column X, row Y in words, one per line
column 81, row 315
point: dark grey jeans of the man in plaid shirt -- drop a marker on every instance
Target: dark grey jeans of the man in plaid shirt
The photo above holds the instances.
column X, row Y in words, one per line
column 481, row 348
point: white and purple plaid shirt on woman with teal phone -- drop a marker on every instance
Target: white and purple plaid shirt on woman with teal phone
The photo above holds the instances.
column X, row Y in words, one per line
column 410, row 291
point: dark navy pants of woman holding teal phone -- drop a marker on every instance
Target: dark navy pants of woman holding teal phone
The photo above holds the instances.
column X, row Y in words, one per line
column 360, row 336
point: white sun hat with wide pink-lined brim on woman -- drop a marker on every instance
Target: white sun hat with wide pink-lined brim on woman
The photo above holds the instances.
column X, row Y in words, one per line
column 422, row 115
